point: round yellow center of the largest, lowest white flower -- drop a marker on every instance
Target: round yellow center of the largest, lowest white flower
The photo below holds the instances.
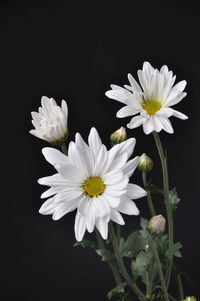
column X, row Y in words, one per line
column 93, row 186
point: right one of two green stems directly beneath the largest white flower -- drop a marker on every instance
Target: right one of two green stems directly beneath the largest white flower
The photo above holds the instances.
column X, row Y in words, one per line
column 122, row 267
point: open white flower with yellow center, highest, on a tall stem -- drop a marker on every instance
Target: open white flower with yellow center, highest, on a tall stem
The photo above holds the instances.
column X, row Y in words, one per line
column 153, row 101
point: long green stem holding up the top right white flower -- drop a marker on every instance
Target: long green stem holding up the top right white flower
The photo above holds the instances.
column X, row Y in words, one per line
column 167, row 204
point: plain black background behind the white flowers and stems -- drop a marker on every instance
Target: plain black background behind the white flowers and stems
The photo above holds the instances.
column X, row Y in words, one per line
column 74, row 50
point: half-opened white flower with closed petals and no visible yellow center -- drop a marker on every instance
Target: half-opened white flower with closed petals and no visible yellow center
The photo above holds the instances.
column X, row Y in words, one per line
column 51, row 121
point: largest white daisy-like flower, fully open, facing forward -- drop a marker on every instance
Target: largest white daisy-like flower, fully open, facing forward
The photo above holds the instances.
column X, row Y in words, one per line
column 93, row 180
